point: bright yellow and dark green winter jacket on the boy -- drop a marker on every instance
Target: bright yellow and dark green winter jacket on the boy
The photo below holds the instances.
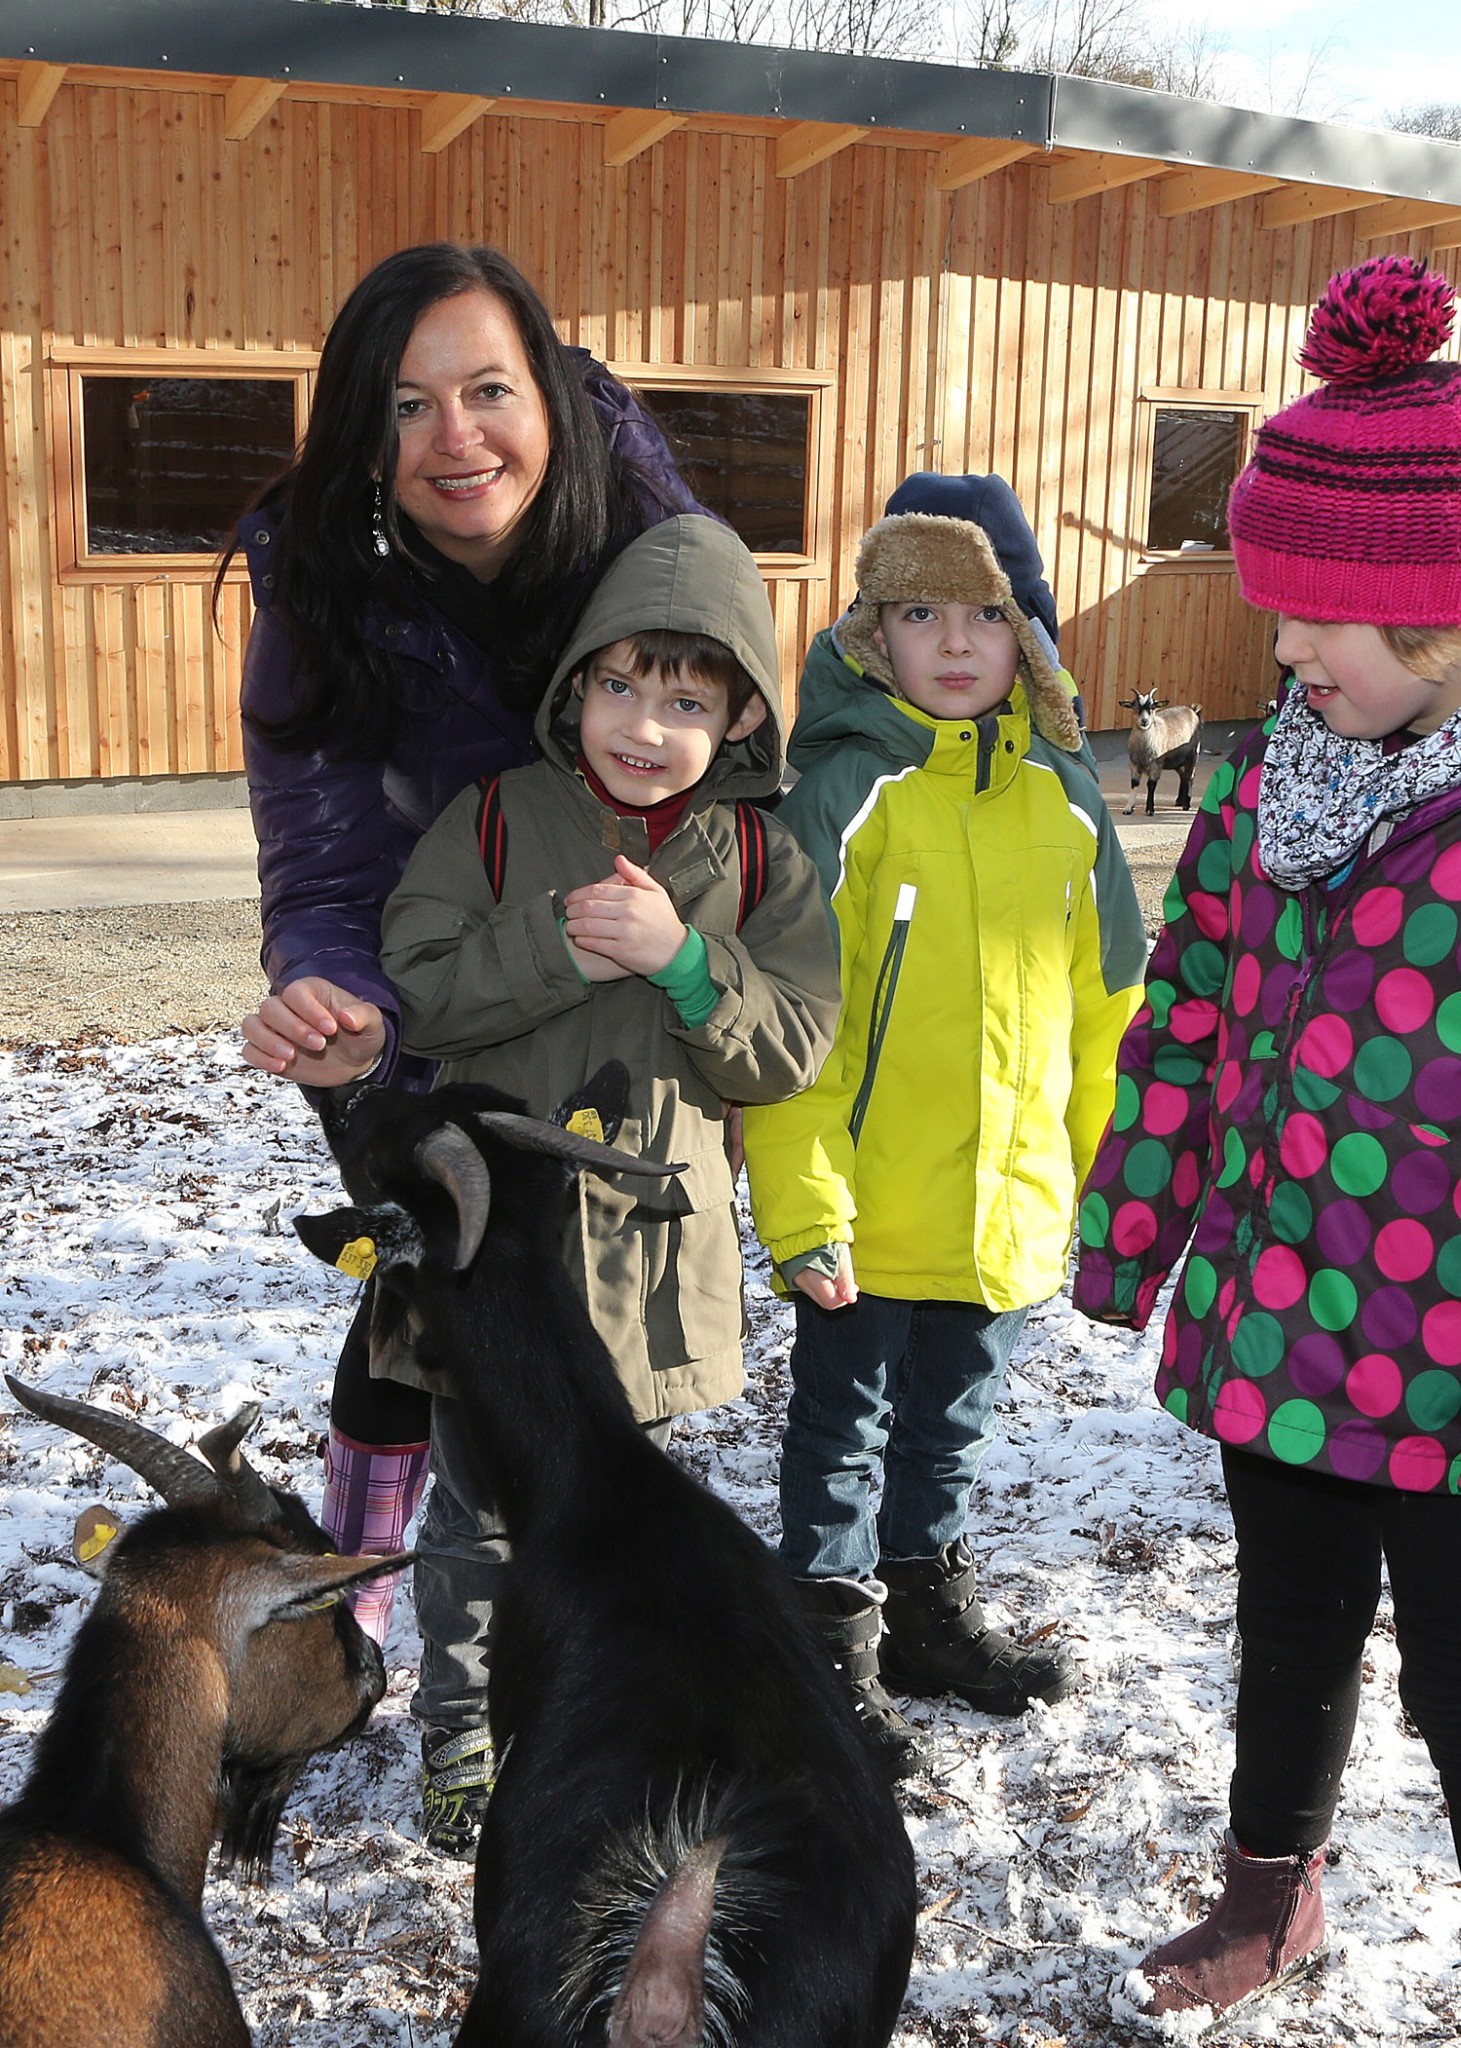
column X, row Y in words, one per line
column 993, row 955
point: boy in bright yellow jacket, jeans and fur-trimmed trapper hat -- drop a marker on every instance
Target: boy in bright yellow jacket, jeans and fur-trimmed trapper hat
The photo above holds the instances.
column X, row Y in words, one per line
column 921, row 1195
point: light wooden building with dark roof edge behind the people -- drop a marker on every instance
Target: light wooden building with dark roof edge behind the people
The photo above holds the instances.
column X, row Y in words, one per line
column 825, row 273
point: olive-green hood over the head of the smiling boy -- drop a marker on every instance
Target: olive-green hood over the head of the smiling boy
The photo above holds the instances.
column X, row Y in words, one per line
column 690, row 574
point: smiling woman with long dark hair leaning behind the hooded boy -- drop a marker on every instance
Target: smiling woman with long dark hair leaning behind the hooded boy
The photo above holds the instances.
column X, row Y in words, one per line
column 460, row 488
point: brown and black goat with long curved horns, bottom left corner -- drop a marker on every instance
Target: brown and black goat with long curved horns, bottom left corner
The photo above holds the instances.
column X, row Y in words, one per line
column 200, row 1684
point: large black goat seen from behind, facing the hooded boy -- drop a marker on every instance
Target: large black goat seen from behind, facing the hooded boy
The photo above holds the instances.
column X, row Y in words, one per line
column 690, row 1838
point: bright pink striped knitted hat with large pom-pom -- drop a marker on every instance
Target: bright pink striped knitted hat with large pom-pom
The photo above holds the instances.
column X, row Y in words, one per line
column 1351, row 505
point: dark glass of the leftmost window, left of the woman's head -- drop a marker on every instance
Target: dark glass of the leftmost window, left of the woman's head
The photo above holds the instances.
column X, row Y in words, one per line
column 171, row 462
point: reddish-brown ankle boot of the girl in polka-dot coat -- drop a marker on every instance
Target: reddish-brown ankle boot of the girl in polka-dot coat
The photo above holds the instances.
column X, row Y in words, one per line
column 1263, row 1932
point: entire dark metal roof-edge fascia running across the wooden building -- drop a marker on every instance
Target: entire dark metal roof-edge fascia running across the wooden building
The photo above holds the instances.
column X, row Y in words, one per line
column 394, row 48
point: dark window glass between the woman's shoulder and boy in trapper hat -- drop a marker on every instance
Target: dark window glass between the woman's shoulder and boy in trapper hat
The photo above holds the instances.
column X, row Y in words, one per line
column 745, row 456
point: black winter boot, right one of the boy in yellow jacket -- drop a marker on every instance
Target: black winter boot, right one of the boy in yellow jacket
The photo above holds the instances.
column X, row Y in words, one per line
column 940, row 1641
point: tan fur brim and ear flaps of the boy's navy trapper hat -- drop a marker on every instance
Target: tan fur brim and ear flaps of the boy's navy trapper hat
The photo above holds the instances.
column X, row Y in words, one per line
column 917, row 556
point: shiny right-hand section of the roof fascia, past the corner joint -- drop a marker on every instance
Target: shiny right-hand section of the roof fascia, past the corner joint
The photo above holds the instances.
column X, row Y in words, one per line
column 1128, row 122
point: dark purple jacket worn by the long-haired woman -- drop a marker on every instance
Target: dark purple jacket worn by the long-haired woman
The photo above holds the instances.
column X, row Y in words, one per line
column 335, row 833
